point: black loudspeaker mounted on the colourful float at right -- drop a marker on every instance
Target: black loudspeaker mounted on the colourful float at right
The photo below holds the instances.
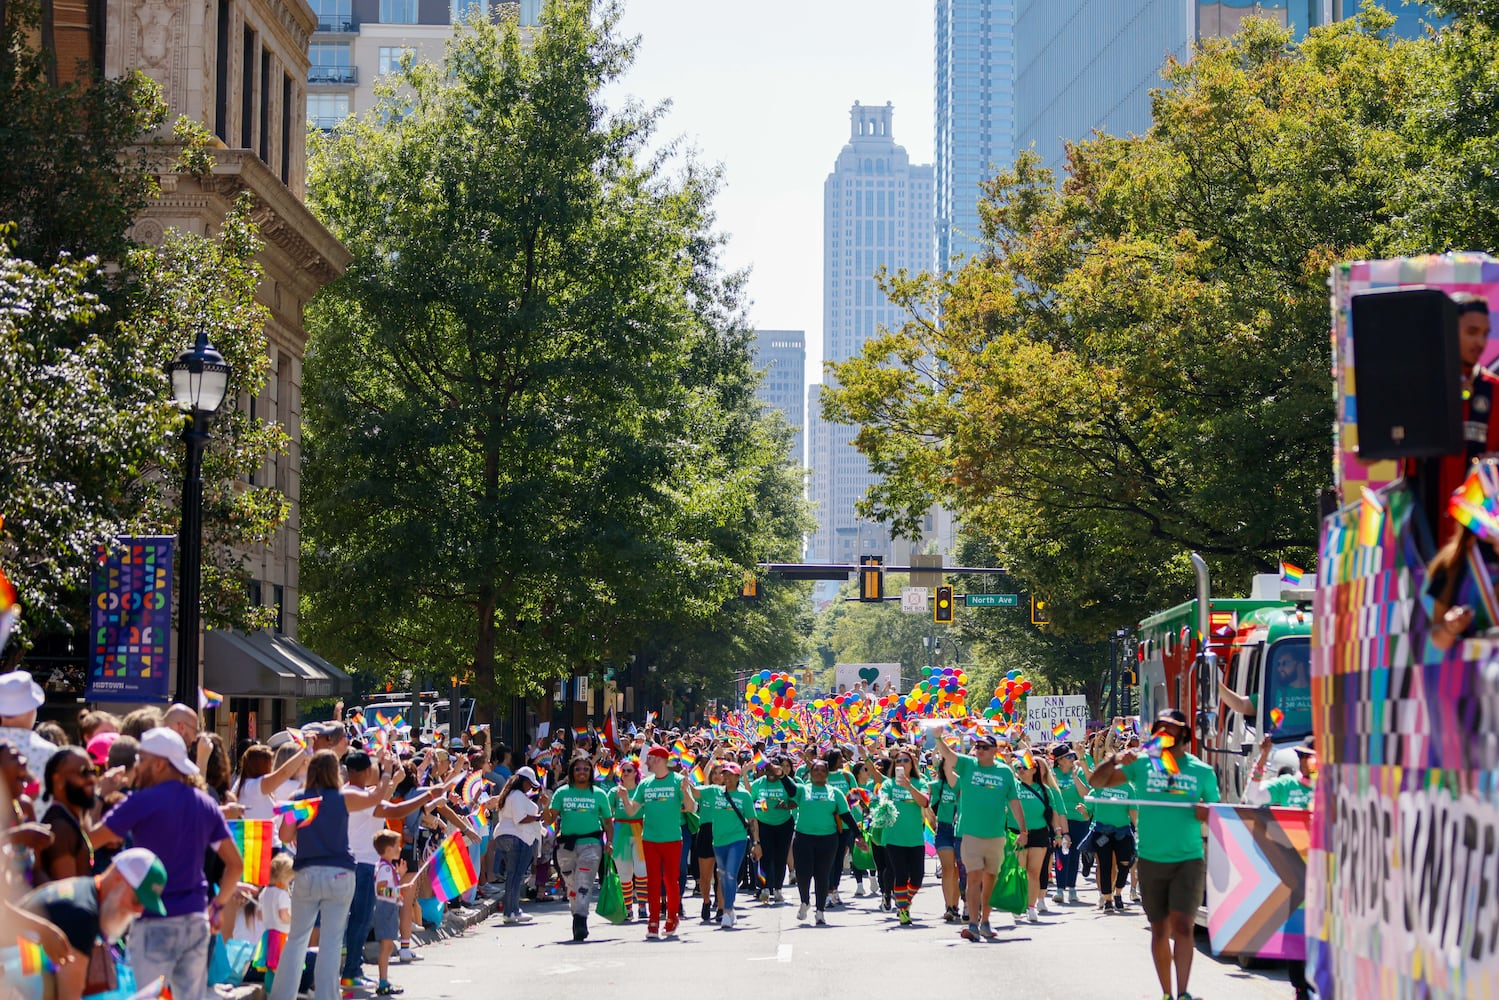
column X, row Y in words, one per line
column 1407, row 376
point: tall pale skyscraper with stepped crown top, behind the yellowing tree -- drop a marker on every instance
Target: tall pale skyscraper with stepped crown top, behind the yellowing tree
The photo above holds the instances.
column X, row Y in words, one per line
column 878, row 211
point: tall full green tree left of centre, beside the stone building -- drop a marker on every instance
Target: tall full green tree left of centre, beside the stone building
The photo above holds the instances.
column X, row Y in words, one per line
column 527, row 430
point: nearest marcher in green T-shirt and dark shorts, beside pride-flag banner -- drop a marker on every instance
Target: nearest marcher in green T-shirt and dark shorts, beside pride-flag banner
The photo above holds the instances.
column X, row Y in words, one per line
column 1173, row 873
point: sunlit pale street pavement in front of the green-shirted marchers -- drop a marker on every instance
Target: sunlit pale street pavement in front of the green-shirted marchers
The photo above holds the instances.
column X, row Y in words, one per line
column 863, row 951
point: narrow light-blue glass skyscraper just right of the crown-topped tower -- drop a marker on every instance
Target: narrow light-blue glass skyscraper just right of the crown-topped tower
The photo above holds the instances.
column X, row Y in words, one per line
column 975, row 68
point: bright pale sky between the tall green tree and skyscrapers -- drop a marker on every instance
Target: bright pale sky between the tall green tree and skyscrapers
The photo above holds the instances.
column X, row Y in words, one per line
column 764, row 91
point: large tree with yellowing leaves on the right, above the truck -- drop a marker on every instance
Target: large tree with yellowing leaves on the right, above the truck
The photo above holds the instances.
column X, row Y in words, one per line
column 1137, row 365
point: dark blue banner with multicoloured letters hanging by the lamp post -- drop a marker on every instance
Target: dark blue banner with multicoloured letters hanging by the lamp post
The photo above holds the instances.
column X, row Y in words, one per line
column 131, row 621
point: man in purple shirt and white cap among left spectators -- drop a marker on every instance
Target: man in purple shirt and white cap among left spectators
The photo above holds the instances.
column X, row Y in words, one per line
column 179, row 824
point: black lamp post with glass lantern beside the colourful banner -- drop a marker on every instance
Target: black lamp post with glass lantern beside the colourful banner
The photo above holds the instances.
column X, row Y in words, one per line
column 200, row 382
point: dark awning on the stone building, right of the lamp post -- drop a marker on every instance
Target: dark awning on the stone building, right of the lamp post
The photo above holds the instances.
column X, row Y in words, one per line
column 268, row 665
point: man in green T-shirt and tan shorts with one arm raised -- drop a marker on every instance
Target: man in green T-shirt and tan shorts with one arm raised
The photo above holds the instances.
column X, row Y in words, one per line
column 989, row 791
